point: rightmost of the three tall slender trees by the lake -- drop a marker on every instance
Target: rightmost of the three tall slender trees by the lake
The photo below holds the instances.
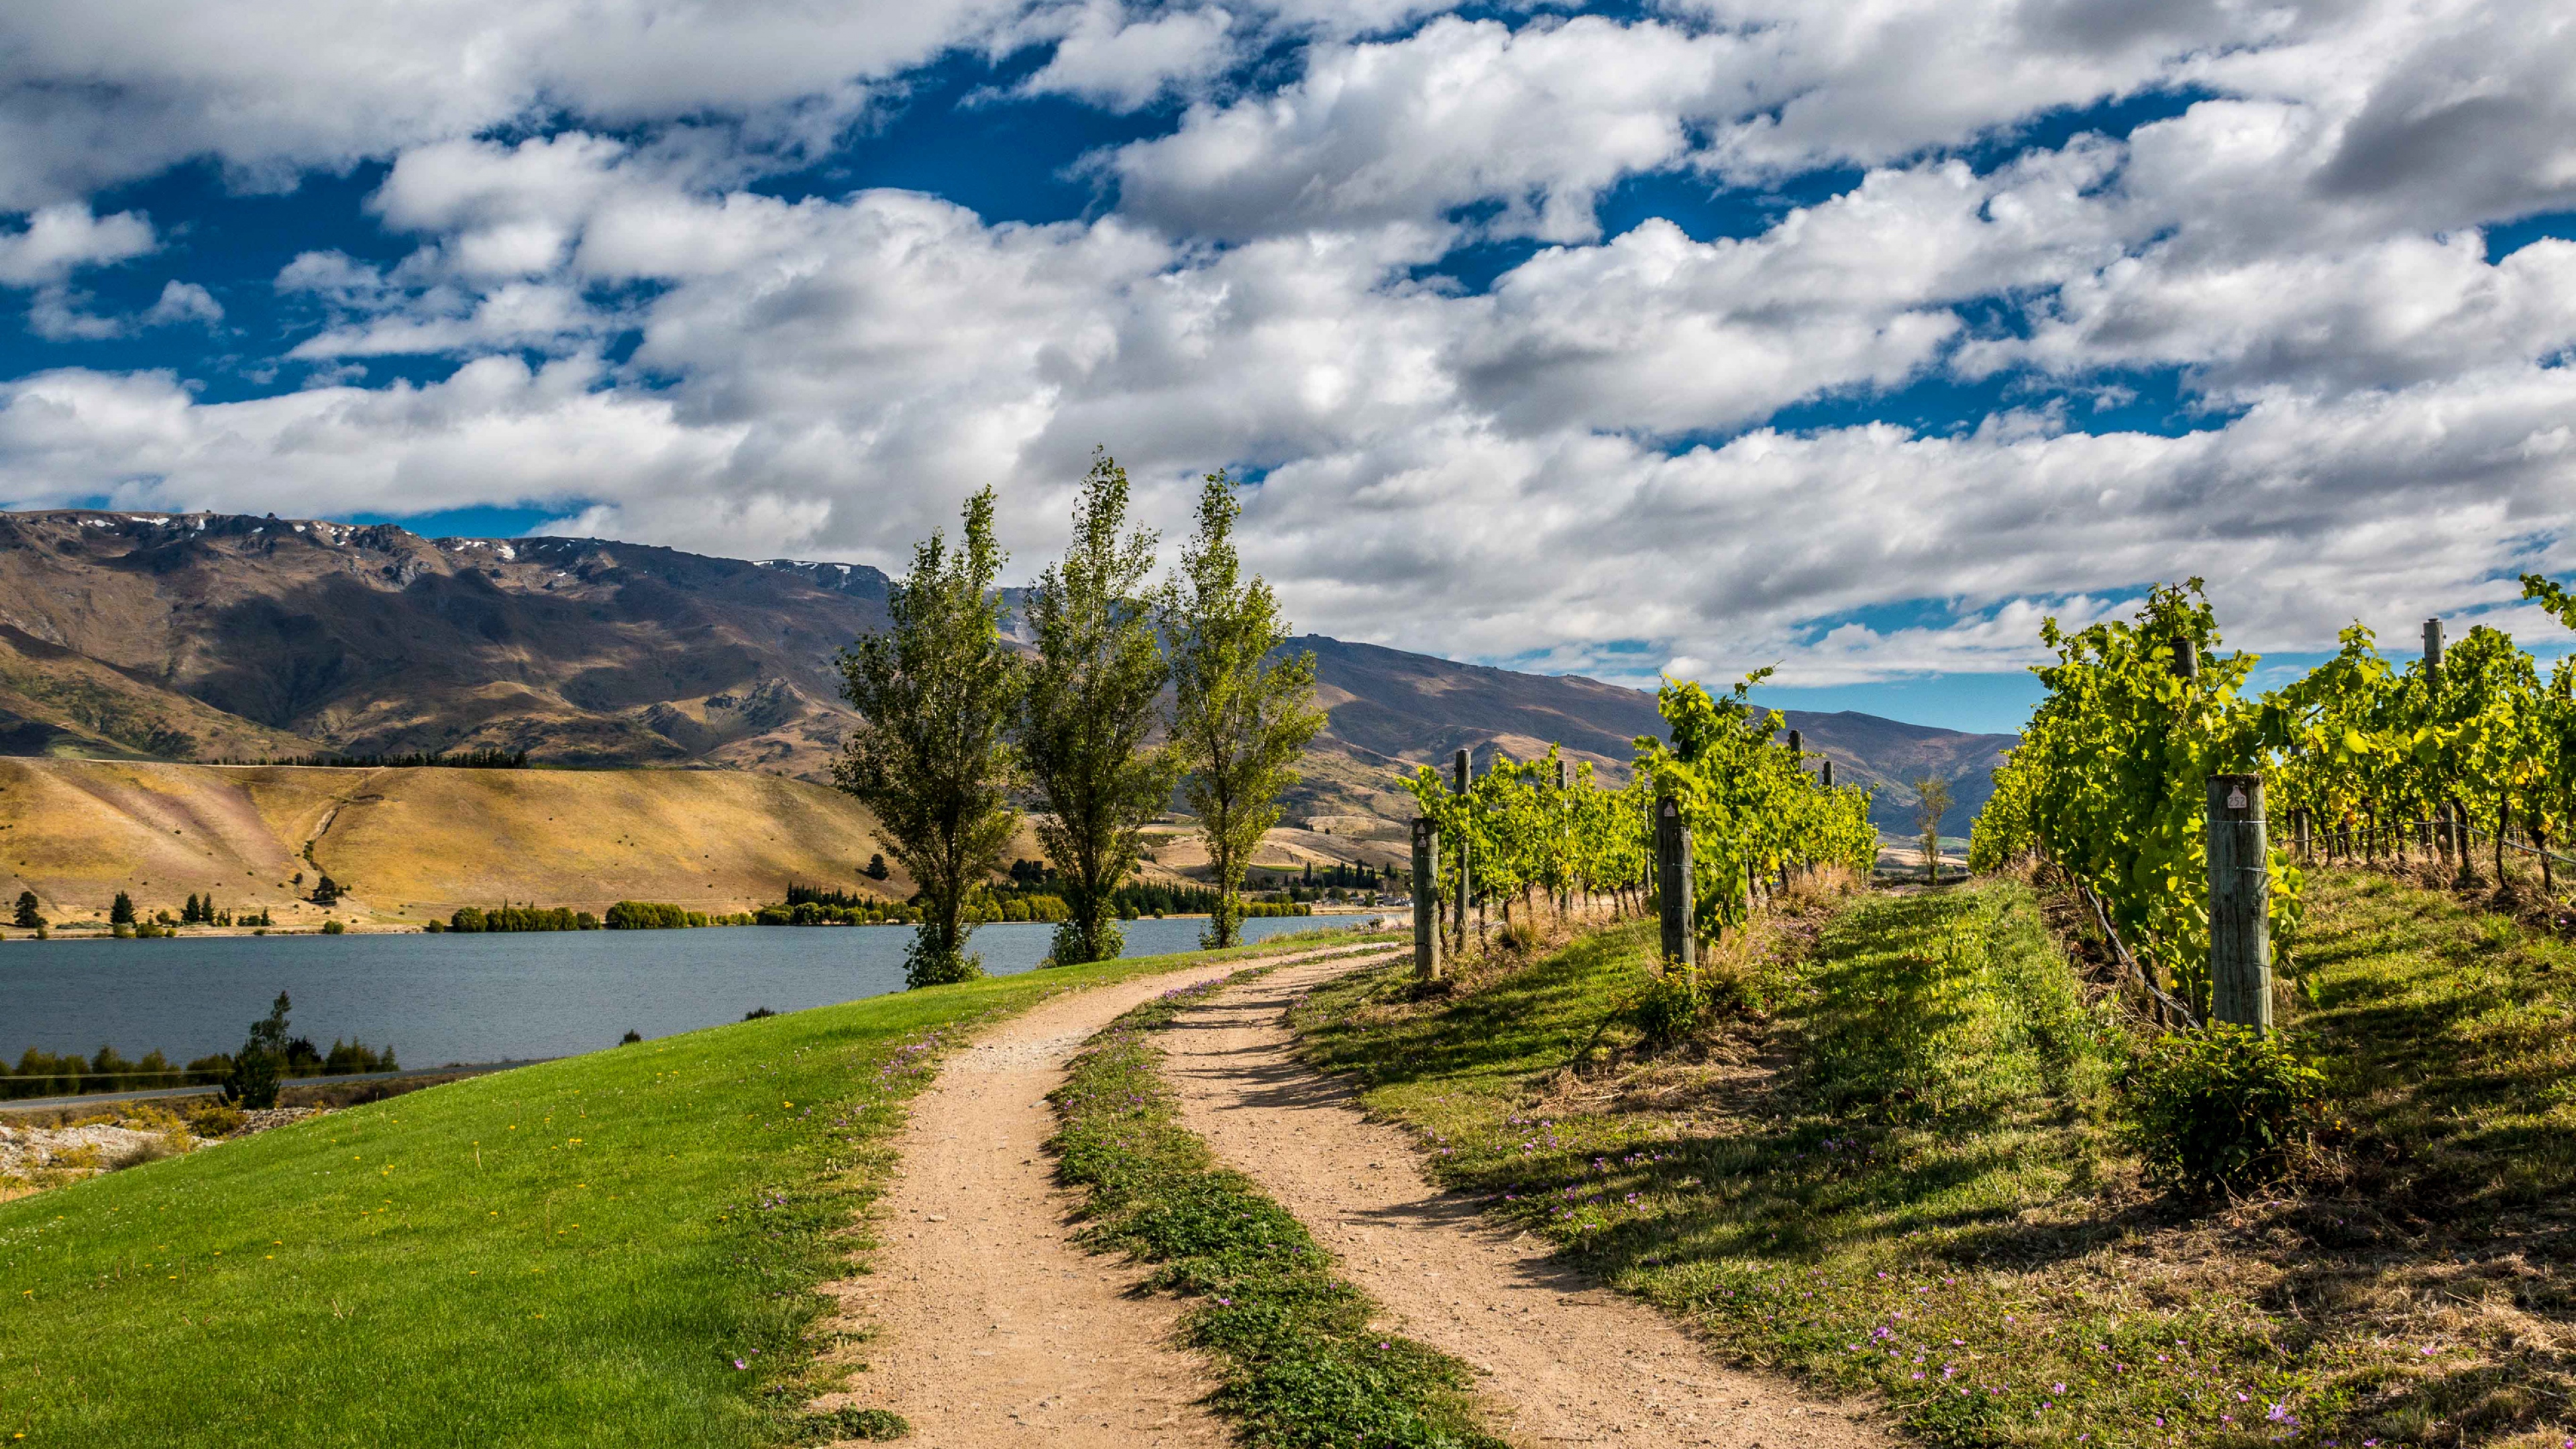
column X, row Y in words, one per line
column 1238, row 713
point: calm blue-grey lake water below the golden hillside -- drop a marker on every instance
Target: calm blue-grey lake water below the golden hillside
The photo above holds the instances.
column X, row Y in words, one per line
column 480, row 999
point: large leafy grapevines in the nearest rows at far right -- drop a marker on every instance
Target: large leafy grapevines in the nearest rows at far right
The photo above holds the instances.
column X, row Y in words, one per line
column 2461, row 757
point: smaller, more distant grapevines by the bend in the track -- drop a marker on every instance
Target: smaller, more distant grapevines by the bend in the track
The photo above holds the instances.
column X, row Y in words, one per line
column 1750, row 801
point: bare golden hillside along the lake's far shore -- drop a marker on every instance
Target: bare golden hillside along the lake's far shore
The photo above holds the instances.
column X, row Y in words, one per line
column 419, row 842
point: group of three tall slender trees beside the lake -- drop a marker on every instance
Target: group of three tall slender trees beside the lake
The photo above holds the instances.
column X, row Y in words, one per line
column 954, row 726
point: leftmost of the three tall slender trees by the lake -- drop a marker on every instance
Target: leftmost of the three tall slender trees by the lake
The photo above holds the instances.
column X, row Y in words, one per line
column 931, row 754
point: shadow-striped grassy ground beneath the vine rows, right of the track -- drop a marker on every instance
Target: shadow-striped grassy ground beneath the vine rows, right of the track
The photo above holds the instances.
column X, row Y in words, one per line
column 1910, row 1182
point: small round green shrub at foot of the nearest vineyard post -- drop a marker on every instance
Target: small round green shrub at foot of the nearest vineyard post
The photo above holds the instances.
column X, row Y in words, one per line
column 2219, row 1107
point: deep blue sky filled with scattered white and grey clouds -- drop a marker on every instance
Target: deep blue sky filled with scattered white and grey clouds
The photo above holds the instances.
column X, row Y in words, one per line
column 1686, row 336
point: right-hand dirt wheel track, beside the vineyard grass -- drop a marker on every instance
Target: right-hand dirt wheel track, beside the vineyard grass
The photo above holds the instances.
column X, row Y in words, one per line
column 1567, row 1363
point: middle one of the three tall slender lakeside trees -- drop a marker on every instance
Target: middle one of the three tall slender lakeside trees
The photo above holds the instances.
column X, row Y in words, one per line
column 1091, row 713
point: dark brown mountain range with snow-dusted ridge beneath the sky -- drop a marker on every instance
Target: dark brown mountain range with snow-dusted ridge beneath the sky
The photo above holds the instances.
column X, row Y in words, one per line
column 236, row 638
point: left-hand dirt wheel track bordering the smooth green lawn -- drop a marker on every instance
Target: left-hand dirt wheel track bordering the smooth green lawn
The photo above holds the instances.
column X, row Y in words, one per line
column 990, row 1327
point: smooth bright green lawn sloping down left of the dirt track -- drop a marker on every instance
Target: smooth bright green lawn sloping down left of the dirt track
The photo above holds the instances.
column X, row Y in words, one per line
column 614, row 1249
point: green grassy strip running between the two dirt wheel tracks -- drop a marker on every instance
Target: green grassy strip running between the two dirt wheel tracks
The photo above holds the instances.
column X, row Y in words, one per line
column 1297, row 1357
